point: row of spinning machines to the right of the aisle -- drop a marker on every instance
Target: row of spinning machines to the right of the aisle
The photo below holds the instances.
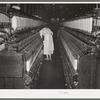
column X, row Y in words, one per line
column 80, row 49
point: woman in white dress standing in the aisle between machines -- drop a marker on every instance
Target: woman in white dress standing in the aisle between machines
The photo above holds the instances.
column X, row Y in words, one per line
column 48, row 42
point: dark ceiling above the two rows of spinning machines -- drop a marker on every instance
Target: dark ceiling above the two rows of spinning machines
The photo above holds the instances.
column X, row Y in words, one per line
column 48, row 11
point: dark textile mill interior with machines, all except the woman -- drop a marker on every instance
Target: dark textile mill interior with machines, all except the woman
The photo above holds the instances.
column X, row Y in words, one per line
column 75, row 61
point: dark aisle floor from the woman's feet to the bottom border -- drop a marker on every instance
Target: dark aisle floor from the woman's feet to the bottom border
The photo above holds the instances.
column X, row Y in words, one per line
column 51, row 76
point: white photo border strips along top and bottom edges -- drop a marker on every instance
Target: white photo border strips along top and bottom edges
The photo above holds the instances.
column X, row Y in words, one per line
column 49, row 93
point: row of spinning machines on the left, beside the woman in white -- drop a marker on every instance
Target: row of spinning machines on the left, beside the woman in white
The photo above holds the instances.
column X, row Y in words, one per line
column 21, row 51
